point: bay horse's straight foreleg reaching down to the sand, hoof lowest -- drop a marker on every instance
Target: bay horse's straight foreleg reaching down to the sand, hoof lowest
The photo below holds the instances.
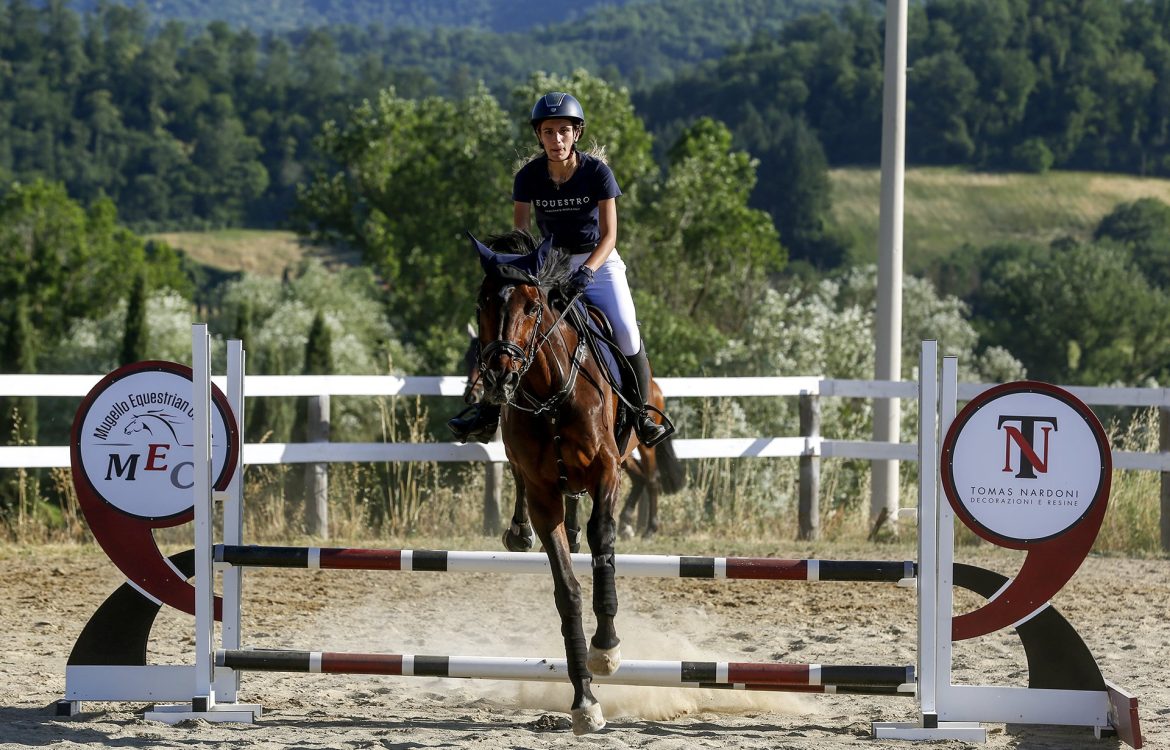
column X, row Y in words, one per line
column 548, row 519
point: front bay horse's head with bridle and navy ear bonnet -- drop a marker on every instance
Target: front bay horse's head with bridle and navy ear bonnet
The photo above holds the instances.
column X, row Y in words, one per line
column 512, row 309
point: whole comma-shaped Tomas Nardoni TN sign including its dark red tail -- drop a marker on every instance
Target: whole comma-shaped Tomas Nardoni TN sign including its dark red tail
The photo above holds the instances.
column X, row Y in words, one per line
column 1027, row 466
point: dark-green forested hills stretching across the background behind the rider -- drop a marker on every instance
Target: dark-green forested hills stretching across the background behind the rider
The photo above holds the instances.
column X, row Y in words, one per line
column 187, row 127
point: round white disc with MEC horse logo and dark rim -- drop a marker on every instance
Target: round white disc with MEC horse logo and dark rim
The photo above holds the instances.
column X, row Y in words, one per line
column 134, row 439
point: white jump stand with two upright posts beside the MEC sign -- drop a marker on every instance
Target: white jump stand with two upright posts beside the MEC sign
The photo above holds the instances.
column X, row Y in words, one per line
column 204, row 699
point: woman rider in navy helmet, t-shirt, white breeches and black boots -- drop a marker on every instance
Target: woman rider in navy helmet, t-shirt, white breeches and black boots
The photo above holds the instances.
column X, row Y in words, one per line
column 575, row 197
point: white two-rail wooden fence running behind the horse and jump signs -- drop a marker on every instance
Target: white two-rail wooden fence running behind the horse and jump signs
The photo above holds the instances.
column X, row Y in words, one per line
column 810, row 446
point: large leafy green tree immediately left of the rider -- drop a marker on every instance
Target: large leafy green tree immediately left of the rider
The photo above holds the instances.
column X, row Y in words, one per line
column 407, row 180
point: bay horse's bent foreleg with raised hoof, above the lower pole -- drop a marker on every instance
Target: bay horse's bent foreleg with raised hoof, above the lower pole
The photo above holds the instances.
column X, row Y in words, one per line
column 604, row 653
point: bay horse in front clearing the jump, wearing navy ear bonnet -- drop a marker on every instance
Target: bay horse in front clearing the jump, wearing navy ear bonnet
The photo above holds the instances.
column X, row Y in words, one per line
column 565, row 434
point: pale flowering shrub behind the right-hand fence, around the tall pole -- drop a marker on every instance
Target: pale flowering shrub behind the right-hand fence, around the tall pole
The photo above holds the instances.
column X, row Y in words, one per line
column 823, row 329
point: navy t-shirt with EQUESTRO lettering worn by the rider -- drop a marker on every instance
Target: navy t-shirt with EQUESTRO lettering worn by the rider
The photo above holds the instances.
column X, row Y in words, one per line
column 568, row 212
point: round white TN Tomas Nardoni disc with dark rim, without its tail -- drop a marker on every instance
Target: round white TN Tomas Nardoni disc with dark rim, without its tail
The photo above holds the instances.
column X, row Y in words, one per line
column 1024, row 463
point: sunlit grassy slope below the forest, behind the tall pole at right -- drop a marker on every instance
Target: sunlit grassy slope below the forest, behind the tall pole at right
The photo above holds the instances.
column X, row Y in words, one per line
column 947, row 208
